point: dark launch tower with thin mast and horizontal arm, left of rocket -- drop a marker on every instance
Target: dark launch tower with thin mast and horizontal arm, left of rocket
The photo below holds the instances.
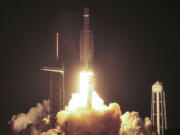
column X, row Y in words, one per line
column 56, row 86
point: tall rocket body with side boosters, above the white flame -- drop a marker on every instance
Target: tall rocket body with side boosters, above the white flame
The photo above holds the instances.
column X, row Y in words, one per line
column 86, row 44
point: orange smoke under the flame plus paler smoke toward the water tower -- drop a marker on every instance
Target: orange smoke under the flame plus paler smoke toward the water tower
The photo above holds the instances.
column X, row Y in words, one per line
column 104, row 122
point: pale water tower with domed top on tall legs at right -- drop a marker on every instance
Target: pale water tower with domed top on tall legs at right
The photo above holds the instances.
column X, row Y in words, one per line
column 158, row 108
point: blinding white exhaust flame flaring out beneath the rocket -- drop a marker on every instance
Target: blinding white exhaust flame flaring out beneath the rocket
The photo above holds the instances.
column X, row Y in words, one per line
column 79, row 100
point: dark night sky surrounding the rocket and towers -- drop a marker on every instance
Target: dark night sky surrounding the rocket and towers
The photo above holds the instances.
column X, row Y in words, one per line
column 136, row 44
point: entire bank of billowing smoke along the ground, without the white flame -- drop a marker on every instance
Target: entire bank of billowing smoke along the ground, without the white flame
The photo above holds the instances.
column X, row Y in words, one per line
column 107, row 121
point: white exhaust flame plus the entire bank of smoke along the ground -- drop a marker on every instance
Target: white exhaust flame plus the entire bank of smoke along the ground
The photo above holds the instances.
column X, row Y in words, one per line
column 79, row 119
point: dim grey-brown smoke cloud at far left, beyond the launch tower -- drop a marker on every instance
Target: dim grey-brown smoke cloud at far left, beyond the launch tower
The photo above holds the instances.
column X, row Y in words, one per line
column 34, row 117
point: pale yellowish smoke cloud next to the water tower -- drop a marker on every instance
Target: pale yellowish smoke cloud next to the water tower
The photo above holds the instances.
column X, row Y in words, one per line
column 132, row 124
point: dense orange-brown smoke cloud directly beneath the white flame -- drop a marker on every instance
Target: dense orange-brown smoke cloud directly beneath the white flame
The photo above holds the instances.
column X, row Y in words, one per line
column 96, row 122
